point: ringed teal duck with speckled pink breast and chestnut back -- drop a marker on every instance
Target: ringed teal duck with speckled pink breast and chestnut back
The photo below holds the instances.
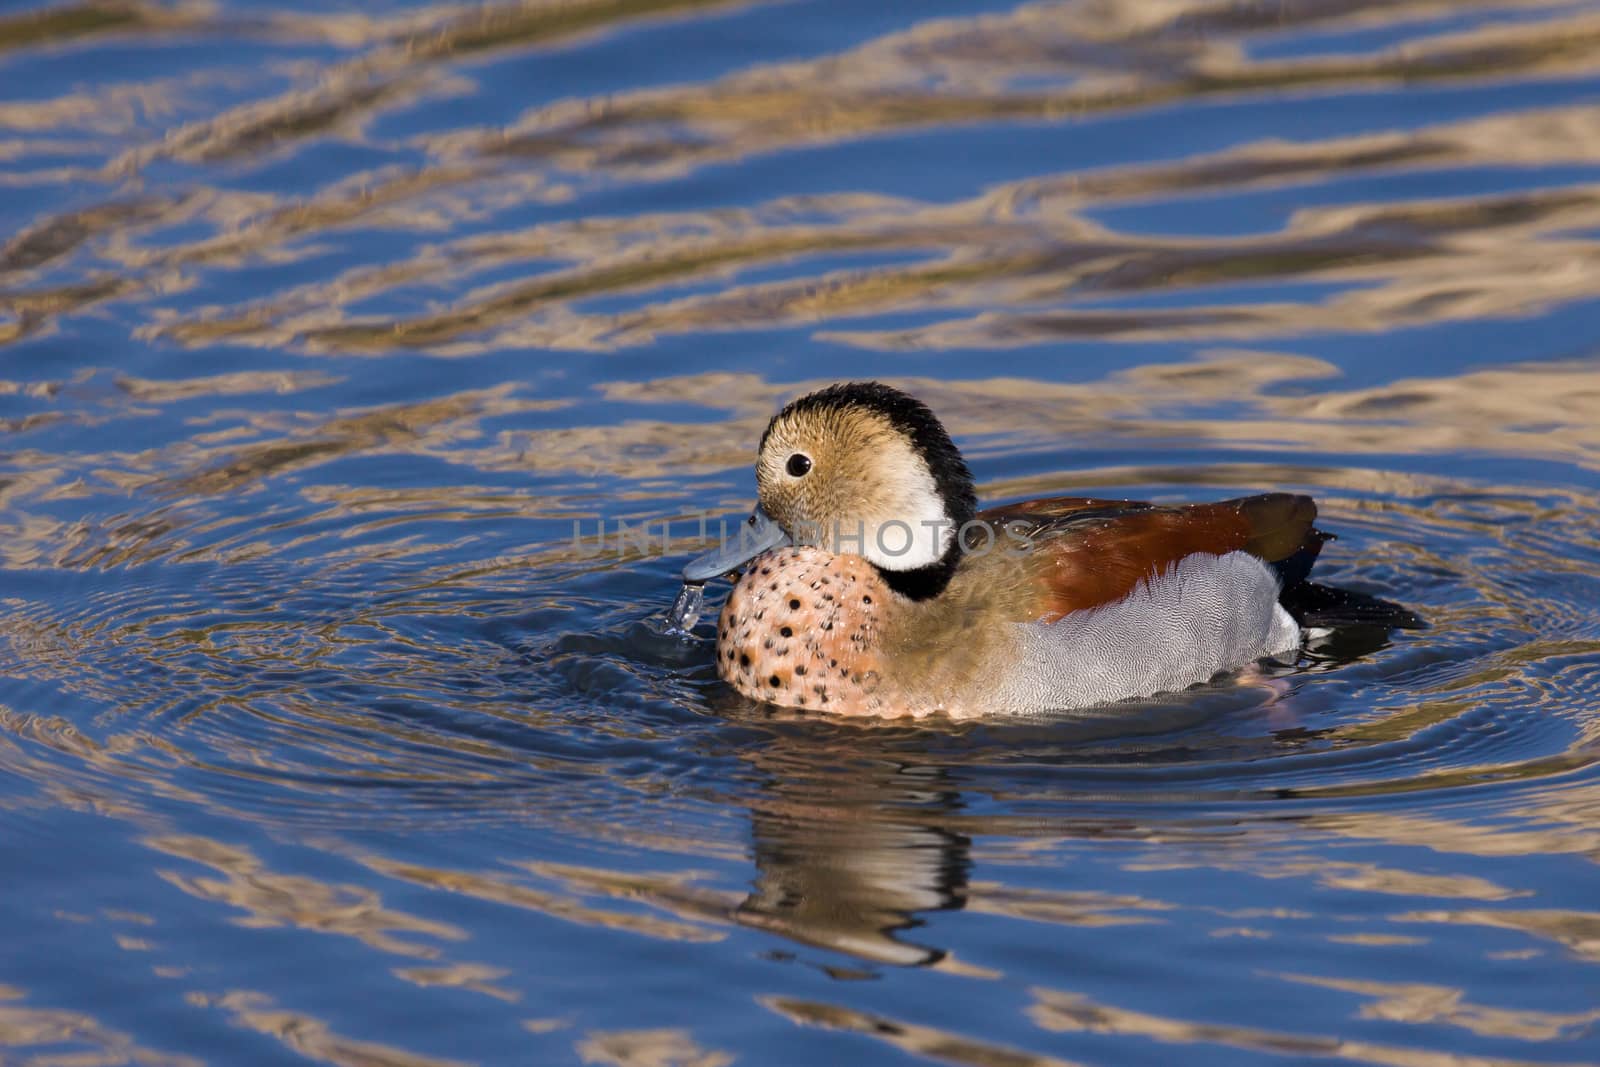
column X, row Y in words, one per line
column 874, row 586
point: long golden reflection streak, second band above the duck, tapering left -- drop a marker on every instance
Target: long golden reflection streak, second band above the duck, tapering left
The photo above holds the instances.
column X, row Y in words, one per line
column 1393, row 266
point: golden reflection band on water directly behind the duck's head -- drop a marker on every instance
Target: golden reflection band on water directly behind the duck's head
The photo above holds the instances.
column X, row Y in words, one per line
column 1530, row 410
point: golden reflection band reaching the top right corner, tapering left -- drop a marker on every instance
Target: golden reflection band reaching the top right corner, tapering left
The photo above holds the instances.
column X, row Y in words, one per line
column 966, row 71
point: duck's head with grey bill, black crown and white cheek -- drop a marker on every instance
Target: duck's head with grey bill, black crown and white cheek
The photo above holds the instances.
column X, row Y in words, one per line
column 858, row 470
